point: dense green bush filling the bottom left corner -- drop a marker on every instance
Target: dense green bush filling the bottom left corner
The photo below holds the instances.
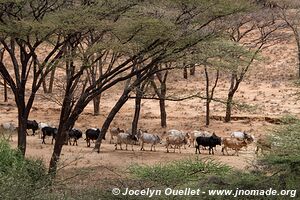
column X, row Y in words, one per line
column 21, row 178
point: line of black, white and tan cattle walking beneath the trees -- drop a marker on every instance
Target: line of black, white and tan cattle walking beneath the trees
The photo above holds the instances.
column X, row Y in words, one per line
column 174, row 139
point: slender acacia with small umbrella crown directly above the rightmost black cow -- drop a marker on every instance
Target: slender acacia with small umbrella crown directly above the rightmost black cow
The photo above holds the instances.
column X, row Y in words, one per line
column 214, row 56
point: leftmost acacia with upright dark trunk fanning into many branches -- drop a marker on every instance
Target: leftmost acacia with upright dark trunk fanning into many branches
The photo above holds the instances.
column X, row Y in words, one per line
column 24, row 30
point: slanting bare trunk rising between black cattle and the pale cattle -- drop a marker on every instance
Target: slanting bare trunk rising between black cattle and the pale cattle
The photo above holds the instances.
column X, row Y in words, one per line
column 122, row 100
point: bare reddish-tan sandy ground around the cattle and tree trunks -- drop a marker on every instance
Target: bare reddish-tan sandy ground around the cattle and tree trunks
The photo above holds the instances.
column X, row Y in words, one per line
column 269, row 89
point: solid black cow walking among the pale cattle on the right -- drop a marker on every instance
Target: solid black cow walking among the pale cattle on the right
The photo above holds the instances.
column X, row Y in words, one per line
column 211, row 142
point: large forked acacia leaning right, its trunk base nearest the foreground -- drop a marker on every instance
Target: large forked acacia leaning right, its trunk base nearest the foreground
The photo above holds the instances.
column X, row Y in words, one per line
column 71, row 107
